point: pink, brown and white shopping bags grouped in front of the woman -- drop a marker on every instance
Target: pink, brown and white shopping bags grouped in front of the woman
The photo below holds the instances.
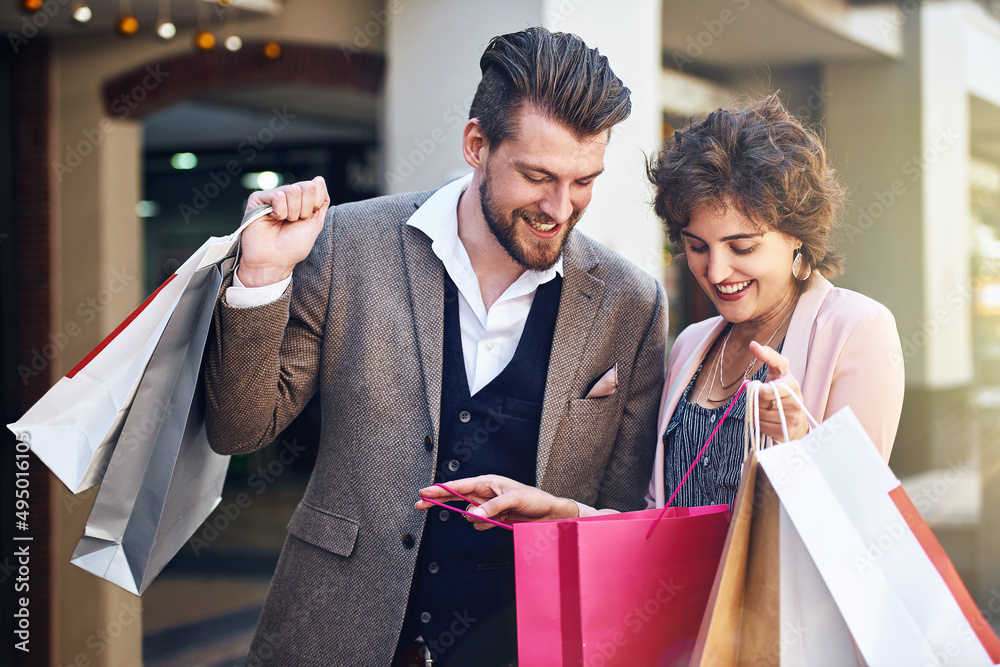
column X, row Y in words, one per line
column 825, row 561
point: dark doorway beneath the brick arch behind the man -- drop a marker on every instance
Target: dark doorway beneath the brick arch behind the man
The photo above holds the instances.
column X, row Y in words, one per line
column 229, row 124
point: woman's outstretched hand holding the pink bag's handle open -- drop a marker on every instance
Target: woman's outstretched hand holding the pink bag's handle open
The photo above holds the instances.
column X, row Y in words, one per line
column 502, row 499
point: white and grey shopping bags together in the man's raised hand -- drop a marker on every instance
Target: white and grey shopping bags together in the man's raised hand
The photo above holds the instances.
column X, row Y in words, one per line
column 130, row 417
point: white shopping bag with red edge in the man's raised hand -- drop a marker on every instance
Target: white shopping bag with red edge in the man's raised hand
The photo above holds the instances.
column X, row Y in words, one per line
column 74, row 427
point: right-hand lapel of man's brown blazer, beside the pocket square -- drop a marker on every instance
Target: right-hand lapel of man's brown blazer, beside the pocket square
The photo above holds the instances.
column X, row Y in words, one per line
column 578, row 303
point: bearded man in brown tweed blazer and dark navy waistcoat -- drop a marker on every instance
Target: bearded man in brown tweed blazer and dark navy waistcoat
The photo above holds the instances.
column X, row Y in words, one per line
column 450, row 334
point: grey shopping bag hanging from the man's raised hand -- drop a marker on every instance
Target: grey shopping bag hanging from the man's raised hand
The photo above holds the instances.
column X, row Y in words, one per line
column 163, row 479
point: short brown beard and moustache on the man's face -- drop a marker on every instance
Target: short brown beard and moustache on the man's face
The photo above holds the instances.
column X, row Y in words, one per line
column 531, row 253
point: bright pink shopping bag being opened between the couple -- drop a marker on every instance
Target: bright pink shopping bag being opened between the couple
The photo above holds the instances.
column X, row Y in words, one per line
column 596, row 592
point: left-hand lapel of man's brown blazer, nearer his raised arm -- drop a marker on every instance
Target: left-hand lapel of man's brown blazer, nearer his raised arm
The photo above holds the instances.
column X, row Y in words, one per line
column 425, row 275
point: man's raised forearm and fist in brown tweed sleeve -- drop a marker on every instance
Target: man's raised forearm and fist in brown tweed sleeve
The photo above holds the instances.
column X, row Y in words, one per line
column 262, row 358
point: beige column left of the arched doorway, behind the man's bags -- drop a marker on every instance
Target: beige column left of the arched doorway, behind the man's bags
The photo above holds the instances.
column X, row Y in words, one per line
column 97, row 247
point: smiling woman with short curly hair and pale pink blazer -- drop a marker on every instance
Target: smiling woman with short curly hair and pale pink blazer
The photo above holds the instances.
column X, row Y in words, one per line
column 752, row 201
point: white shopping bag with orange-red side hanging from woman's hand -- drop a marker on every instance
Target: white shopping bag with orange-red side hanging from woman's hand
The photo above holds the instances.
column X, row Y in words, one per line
column 853, row 543
